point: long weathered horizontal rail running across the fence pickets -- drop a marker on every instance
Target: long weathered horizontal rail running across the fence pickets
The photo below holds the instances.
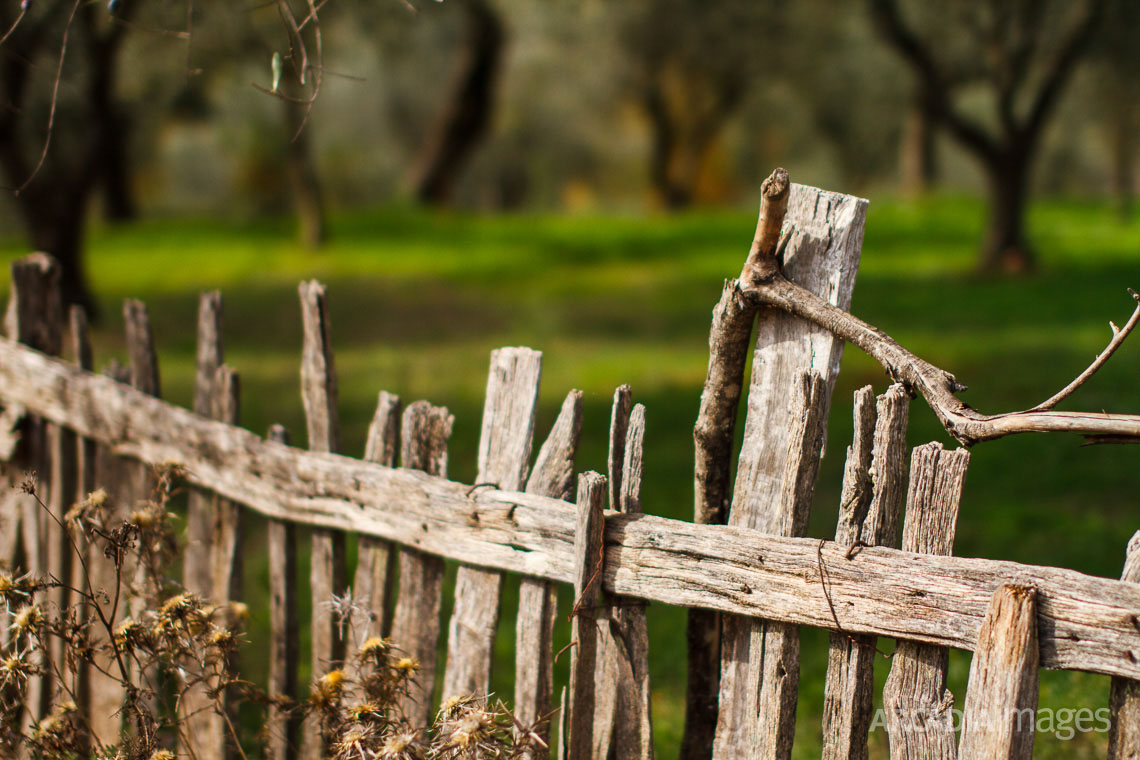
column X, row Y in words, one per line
column 1085, row 623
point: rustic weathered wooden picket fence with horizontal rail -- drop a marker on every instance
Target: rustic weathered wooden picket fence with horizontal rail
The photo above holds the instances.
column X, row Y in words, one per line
column 751, row 582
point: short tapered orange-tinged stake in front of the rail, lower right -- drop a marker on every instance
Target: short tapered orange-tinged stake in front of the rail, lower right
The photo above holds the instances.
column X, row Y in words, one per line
column 1001, row 699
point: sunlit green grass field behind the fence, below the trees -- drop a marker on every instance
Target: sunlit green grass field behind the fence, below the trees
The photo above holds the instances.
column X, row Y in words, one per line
column 419, row 301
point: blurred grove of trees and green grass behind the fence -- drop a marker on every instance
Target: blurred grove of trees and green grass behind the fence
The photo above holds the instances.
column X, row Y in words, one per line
column 582, row 177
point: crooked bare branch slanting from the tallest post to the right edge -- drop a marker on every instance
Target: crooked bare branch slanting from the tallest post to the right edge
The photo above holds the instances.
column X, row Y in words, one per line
column 937, row 386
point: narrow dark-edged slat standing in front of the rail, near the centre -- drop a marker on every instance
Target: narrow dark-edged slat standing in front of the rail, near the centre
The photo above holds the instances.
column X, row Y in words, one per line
column 588, row 593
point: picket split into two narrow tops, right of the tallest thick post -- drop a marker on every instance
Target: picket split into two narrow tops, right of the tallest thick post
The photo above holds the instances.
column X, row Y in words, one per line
column 874, row 484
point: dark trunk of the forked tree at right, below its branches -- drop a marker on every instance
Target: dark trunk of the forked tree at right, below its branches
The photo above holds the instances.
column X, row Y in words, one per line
column 1007, row 248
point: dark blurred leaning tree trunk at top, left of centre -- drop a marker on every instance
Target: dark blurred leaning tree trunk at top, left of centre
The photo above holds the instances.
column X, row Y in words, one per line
column 467, row 115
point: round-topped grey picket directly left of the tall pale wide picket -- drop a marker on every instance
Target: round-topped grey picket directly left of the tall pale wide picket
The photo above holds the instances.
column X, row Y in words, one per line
column 425, row 436
